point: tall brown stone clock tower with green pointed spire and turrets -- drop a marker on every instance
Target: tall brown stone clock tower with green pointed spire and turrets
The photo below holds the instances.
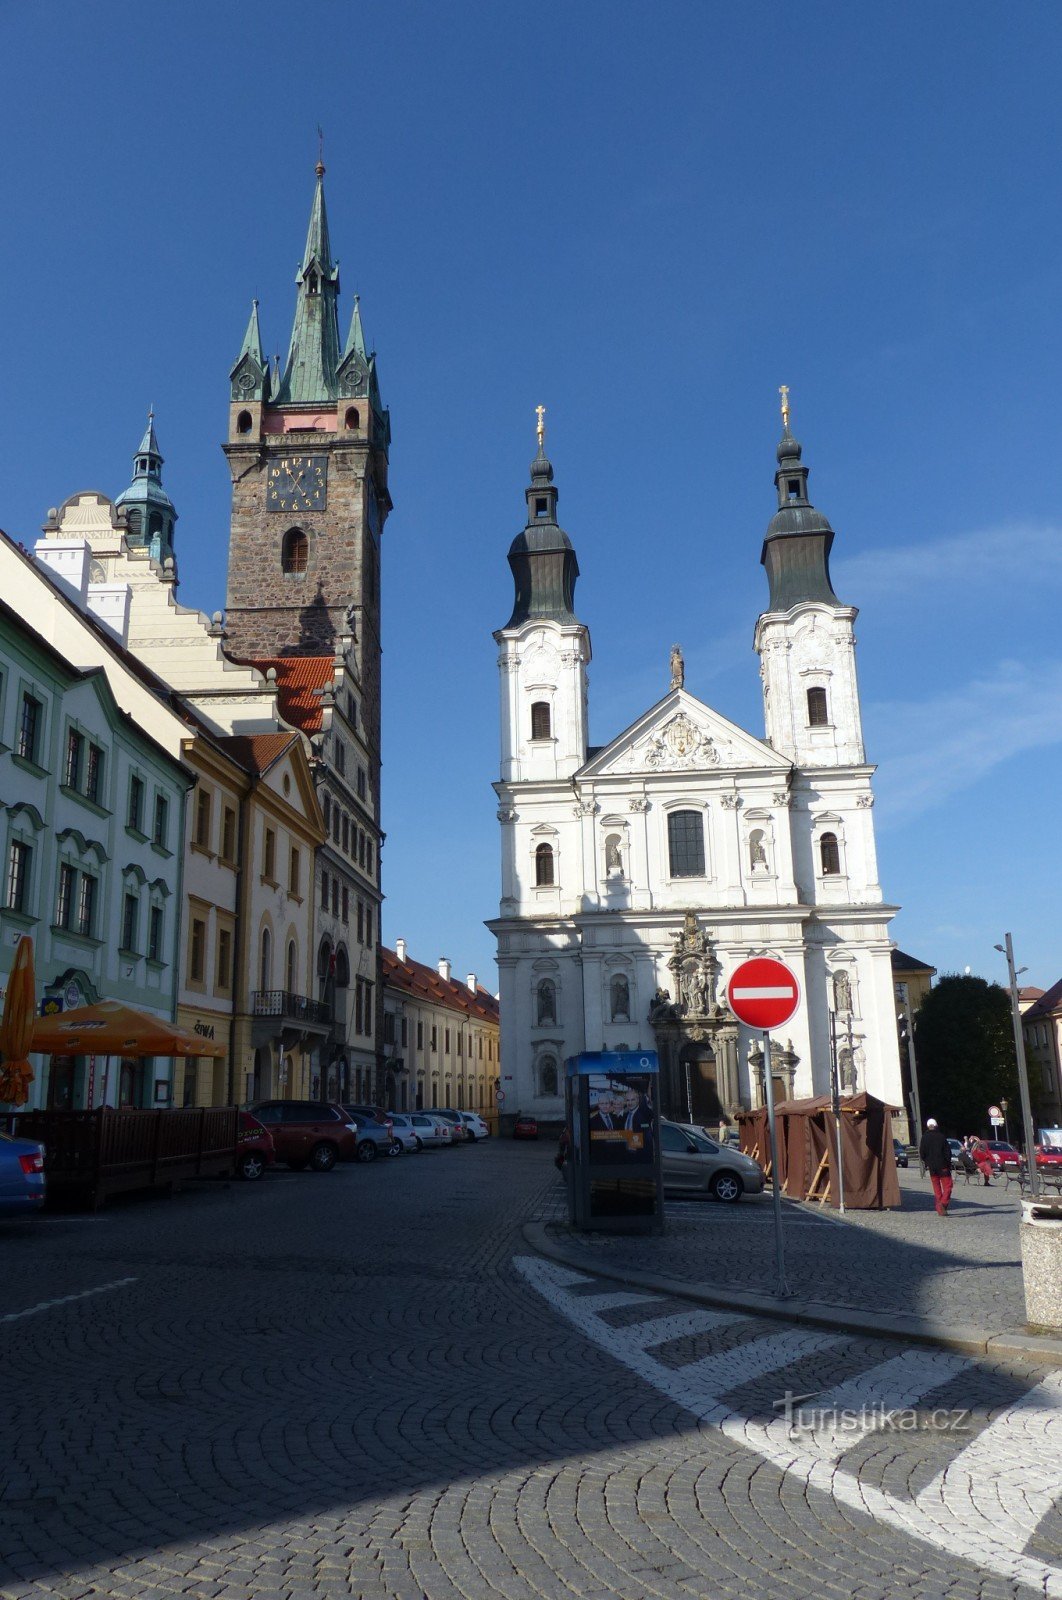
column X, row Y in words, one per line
column 308, row 450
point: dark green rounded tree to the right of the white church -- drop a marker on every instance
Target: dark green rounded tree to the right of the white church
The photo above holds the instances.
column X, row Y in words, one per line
column 965, row 1044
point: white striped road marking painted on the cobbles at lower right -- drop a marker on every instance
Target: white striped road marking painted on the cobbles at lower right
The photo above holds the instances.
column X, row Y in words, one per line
column 991, row 1537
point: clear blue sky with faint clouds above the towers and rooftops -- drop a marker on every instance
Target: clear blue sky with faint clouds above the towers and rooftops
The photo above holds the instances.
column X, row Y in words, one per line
column 645, row 220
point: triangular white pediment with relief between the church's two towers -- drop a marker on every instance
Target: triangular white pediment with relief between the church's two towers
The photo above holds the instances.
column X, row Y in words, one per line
column 682, row 735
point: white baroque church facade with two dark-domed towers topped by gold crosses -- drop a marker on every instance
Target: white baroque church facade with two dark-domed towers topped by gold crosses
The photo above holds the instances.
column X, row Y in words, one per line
column 637, row 874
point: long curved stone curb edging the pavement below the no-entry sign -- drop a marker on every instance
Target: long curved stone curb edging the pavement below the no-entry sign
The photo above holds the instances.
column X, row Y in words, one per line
column 845, row 1319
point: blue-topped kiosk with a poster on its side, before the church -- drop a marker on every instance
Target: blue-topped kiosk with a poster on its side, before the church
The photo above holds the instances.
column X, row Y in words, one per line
column 613, row 1127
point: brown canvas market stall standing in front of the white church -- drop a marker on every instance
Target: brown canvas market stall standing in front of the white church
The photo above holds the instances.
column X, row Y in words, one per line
column 807, row 1134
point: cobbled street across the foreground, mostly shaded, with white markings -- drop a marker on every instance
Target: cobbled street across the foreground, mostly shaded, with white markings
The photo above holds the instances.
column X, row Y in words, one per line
column 361, row 1385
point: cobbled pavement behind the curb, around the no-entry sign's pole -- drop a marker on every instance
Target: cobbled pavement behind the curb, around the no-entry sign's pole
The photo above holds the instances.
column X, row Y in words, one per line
column 964, row 1270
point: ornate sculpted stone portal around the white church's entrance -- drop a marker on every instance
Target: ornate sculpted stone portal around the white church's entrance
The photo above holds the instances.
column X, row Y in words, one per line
column 698, row 1041
